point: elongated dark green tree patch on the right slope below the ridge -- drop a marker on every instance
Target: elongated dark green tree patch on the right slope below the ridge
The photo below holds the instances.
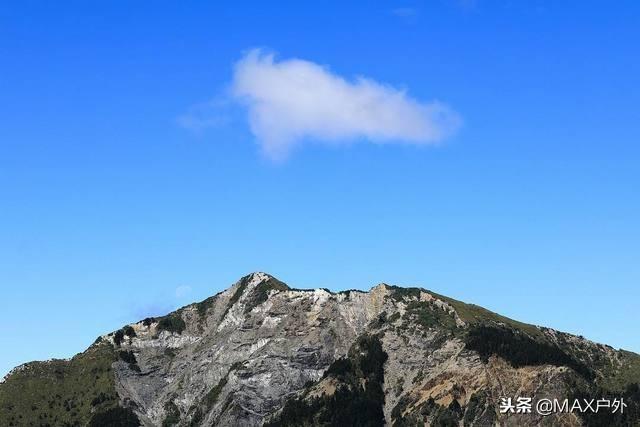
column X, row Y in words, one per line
column 520, row 349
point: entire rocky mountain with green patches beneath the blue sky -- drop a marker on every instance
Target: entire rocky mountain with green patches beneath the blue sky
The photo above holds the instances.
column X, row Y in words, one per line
column 262, row 353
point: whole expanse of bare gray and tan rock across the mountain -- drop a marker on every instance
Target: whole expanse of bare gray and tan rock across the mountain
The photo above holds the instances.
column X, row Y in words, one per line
column 244, row 352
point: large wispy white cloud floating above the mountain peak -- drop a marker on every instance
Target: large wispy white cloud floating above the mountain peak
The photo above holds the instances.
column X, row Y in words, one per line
column 290, row 101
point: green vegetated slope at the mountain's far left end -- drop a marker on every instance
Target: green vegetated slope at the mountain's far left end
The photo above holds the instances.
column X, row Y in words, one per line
column 61, row 392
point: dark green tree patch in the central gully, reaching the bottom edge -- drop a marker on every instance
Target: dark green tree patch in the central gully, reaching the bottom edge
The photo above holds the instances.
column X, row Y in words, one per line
column 357, row 401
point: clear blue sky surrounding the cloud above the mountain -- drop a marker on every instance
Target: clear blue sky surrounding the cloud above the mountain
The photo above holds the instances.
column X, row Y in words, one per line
column 111, row 209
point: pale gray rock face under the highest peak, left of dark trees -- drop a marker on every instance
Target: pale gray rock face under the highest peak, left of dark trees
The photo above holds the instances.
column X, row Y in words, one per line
column 257, row 352
